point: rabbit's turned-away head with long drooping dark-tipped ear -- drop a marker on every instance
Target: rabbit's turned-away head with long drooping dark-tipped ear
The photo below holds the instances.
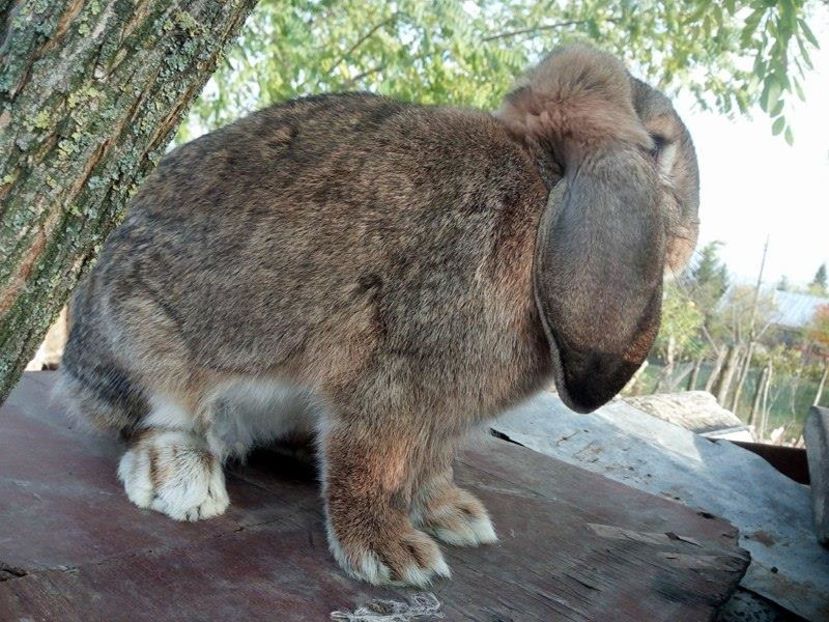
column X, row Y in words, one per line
column 622, row 211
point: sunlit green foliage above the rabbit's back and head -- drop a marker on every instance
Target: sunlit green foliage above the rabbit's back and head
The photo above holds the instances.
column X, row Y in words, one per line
column 730, row 56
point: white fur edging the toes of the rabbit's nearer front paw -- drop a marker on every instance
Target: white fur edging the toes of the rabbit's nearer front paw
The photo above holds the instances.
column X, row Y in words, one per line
column 367, row 566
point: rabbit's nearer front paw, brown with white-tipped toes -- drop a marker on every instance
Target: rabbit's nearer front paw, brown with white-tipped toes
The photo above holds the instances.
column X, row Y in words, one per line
column 411, row 558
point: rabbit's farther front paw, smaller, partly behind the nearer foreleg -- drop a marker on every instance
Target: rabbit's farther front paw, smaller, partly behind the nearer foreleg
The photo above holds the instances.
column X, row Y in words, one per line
column 454, row 516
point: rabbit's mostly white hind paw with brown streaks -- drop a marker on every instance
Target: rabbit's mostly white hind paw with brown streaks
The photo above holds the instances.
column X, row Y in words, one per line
column 174, row 473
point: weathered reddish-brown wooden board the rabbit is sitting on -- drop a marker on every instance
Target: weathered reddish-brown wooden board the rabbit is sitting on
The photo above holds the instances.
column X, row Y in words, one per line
column 574, row 545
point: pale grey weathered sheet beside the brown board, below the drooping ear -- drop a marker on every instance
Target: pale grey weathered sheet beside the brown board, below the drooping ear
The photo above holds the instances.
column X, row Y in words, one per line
column 772, row 512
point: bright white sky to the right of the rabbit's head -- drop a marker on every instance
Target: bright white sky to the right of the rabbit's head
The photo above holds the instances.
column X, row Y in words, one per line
column 754, row 185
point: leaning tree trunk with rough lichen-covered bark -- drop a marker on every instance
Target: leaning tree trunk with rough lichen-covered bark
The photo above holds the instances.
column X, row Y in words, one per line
column 90, row 95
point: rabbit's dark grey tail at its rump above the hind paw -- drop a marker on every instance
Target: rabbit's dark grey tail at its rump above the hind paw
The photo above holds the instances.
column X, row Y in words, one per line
column 101, row 394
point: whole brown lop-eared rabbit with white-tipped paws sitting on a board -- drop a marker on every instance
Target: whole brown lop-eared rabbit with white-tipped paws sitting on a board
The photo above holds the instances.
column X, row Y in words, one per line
column 383, row 277
